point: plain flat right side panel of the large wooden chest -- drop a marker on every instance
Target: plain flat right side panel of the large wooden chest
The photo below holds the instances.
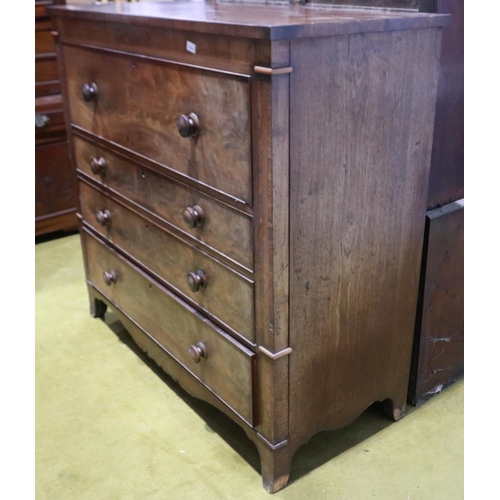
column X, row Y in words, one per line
column 361, row 137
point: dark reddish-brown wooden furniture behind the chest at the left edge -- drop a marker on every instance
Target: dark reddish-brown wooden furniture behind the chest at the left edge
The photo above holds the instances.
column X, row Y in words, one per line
column 55, row 181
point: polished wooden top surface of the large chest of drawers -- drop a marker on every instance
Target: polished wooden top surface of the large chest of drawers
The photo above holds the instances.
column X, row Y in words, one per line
column 253, row 20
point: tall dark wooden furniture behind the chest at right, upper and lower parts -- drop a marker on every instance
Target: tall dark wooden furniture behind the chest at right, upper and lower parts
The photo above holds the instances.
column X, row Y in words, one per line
column 438, row 363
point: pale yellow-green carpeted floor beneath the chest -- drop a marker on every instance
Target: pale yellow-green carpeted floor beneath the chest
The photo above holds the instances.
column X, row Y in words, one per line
column 110, row 425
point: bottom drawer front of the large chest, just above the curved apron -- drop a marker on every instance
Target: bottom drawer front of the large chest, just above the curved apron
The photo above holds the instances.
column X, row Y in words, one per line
column 227, row 368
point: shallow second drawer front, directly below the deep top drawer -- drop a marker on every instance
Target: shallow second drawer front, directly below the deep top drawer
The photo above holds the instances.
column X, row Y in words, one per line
column 223, row 229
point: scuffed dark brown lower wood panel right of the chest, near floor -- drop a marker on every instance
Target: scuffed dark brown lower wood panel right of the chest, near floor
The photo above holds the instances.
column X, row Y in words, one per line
column 438, row 352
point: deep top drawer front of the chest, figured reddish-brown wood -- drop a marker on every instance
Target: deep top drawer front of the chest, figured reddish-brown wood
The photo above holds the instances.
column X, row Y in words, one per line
column 139, row 102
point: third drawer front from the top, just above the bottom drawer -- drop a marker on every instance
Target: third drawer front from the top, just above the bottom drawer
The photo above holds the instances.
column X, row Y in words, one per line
column 213, row 286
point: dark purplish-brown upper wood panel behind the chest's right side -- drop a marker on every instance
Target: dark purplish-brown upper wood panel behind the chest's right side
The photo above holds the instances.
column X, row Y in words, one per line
column 446, row 182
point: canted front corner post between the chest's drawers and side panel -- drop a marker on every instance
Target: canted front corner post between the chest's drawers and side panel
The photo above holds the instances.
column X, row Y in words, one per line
column 270, row 131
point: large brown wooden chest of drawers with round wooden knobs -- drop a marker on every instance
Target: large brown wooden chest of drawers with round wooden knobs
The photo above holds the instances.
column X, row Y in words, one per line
column 253, row 188
